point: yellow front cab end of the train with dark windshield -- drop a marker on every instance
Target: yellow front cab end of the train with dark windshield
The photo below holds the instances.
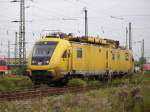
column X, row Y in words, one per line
column 43, row 65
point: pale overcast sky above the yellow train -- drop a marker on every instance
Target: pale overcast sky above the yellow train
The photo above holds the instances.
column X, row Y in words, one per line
column 67, row 16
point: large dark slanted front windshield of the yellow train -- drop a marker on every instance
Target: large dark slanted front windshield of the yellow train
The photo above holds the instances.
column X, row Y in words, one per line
column 42, row 52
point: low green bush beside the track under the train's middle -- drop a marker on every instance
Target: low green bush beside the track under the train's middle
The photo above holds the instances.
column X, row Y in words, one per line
column 77, row 82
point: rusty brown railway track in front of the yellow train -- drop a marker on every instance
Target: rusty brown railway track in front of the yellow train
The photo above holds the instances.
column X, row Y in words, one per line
column 33, row 93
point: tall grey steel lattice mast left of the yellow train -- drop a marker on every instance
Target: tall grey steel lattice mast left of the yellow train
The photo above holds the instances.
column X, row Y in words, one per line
column 22, row 47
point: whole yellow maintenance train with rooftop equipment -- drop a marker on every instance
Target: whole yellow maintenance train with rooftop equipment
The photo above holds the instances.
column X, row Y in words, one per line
column 59, row 58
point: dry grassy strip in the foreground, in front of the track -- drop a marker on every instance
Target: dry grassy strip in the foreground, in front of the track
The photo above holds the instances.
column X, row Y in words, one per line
column 133, row 96
